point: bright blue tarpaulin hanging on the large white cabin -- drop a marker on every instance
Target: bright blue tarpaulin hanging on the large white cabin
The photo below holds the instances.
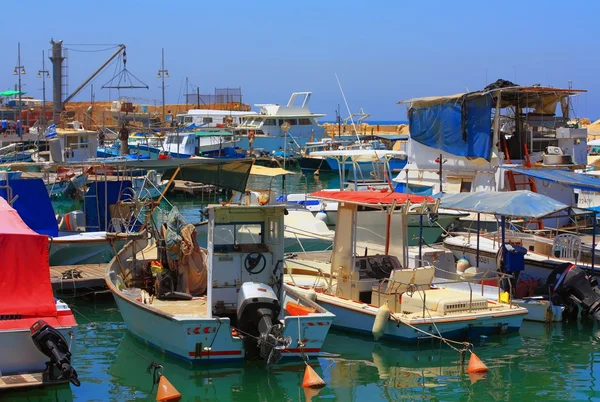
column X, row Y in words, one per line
column 459, row 126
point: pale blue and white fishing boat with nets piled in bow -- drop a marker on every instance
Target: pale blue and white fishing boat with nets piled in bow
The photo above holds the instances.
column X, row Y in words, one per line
column 230, row 302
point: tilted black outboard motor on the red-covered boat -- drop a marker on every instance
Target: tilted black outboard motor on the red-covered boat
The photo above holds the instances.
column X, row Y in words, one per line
column 52, row 344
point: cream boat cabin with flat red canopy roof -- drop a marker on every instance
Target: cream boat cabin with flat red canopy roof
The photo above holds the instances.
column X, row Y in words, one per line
column 359, row 271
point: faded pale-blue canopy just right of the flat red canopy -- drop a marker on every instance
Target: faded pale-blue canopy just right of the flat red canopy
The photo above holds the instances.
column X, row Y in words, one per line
column 522, row 204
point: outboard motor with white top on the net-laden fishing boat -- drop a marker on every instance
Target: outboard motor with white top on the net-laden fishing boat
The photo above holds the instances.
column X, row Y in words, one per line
column 257, row 312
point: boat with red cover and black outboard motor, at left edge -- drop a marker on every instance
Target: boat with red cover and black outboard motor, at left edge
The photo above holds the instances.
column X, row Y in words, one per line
column 26, row 299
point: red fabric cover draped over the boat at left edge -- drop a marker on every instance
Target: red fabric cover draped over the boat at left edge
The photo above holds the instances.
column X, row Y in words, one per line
column 25, row 287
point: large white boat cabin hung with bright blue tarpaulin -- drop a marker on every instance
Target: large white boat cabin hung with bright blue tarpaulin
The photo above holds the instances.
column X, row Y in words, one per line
column 502, row 125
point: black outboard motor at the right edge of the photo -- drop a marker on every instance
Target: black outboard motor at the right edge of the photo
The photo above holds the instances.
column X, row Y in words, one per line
column 572, row 285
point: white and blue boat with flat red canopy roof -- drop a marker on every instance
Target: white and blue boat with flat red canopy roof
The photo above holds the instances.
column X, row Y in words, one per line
column 377, row 292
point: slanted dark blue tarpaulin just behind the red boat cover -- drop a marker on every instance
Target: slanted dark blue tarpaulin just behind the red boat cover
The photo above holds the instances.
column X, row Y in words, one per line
column 33, row 204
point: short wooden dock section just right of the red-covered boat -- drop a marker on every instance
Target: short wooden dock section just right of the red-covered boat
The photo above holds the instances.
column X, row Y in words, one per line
column 74, row 277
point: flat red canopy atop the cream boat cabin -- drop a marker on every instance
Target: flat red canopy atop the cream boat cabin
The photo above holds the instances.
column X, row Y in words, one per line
column 370, row 197
